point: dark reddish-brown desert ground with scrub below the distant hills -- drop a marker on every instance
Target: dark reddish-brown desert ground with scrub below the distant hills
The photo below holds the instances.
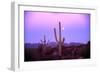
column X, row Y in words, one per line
column 51, row 53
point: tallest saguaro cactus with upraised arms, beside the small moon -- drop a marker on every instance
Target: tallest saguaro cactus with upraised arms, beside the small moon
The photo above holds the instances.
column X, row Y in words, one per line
column 59, row 39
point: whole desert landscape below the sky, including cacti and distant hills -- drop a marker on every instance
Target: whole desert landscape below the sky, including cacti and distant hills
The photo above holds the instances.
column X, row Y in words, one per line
column 57, row 50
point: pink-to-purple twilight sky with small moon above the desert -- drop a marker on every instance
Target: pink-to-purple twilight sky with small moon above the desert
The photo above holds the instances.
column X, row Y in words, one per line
column 75, row 26
